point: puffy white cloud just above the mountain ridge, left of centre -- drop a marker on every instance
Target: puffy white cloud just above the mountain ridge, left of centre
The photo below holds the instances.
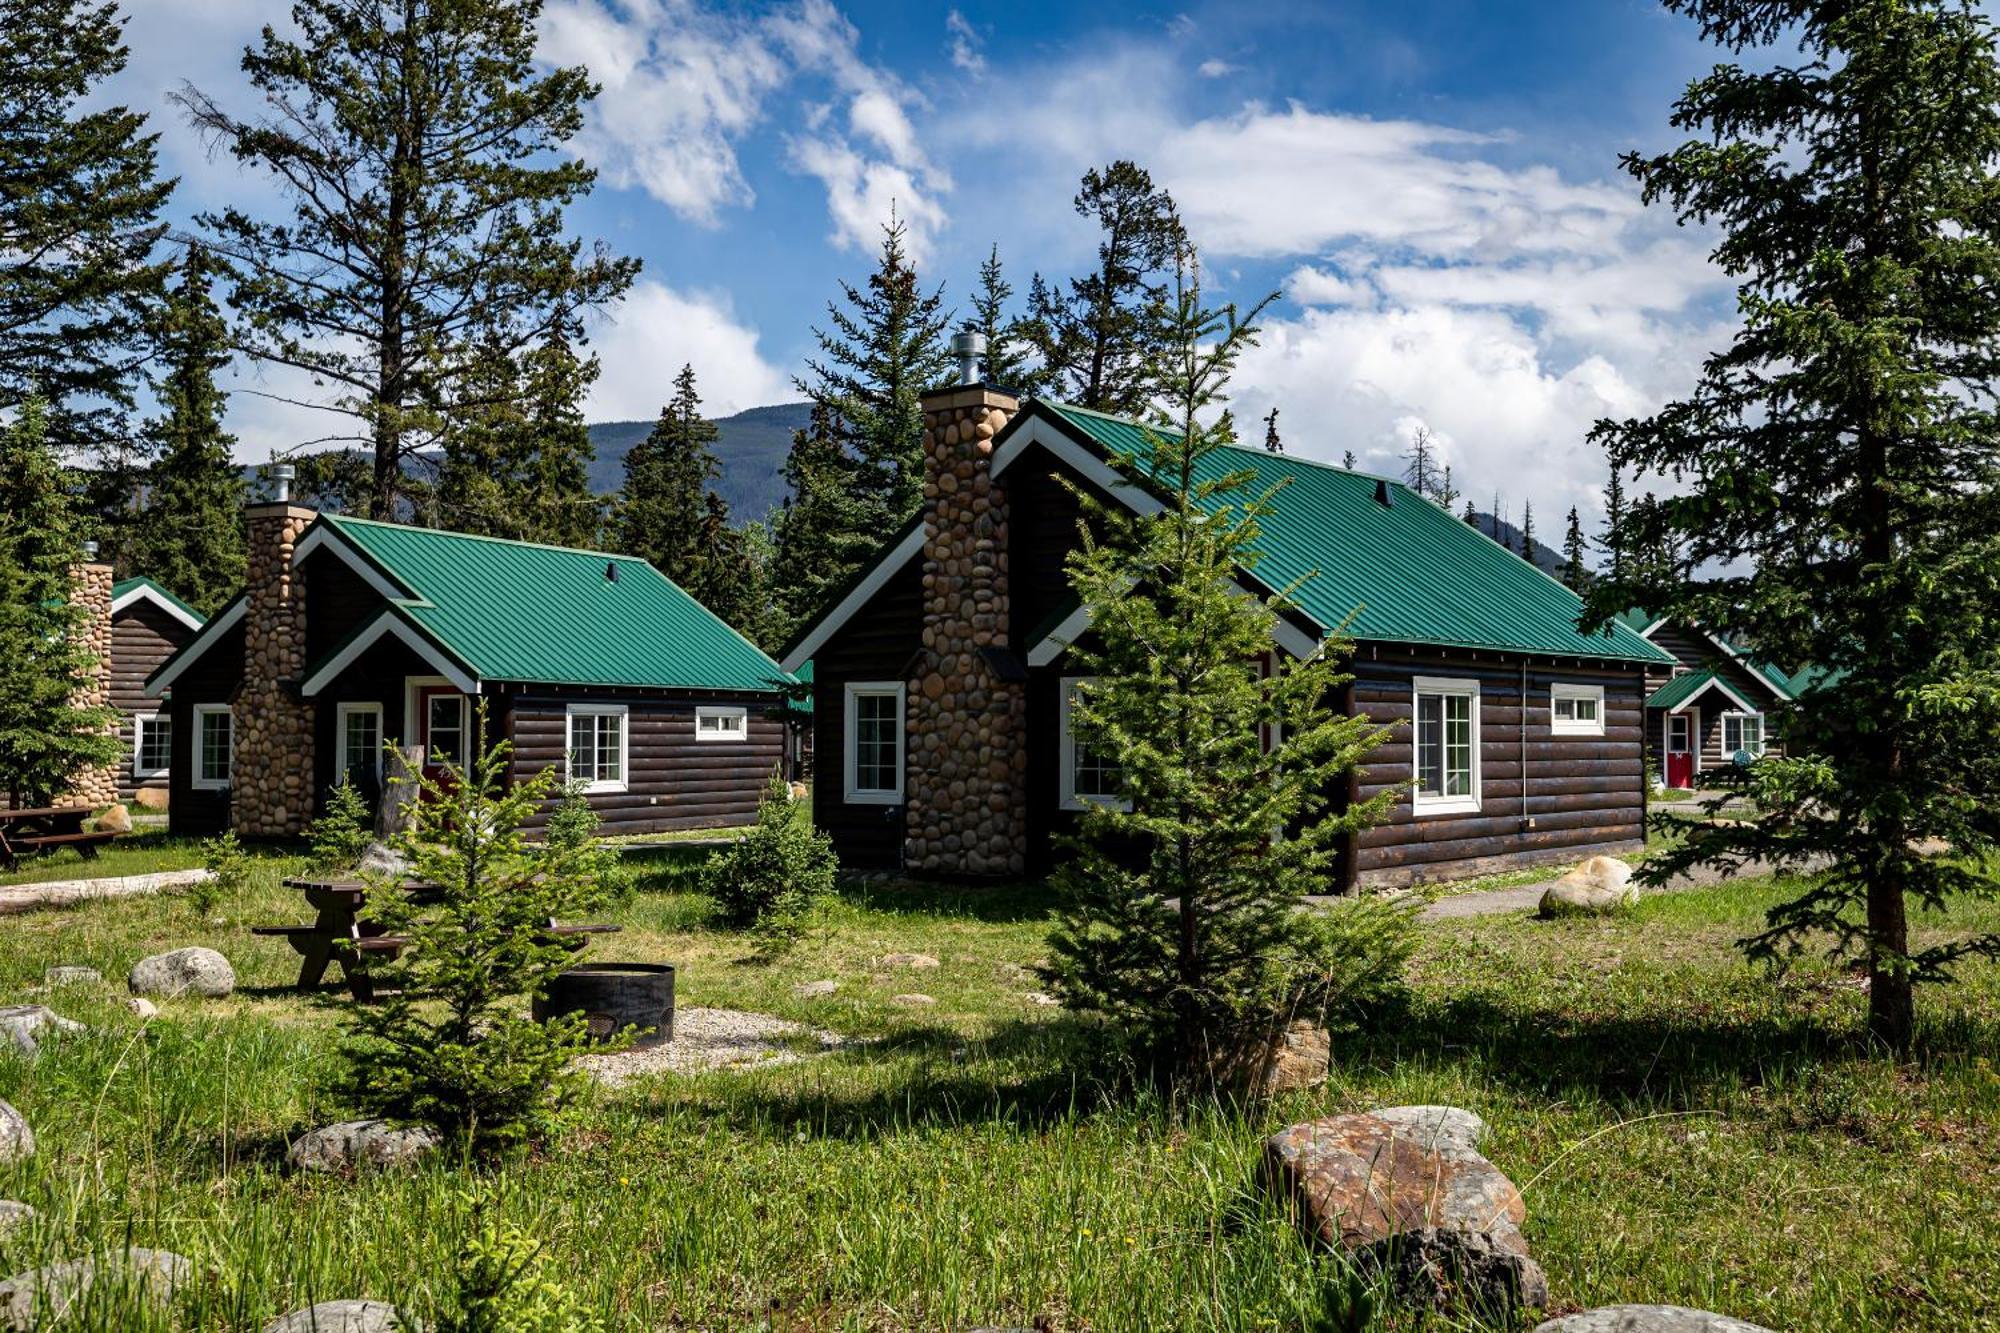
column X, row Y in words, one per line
column 655, row 331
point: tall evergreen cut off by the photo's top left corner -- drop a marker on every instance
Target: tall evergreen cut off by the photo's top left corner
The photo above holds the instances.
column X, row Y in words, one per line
column 79, row 223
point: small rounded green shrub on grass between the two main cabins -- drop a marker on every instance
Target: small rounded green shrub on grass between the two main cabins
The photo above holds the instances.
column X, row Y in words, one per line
column 777, row 878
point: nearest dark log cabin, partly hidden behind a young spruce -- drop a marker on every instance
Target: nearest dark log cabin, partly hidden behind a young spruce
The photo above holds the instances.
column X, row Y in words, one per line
column 943, row 674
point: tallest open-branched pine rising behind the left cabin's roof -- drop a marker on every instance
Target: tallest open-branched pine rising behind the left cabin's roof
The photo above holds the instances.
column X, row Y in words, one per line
column 427, row 177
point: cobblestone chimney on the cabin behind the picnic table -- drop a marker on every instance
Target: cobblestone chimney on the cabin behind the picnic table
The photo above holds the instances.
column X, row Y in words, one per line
column 271, row 780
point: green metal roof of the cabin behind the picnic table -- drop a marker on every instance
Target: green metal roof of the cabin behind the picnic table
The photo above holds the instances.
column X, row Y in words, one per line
column 517, row 611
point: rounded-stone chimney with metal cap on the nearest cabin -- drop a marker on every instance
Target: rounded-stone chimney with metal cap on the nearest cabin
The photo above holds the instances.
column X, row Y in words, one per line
column 969, row 704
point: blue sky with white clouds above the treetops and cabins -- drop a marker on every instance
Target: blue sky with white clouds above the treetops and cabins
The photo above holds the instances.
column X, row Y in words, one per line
column 1433, row 185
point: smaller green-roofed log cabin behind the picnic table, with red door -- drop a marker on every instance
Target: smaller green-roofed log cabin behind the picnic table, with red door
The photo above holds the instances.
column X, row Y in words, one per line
column 355, row 633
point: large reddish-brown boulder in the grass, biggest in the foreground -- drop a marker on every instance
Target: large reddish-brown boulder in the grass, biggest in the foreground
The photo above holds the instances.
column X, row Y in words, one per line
column 1407, row 1194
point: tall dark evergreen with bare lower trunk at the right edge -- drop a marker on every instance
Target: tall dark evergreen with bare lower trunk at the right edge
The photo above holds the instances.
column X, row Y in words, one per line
column 1845, row 447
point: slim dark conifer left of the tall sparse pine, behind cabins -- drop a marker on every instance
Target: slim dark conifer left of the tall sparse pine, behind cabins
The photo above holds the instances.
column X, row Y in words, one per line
column 191, row 535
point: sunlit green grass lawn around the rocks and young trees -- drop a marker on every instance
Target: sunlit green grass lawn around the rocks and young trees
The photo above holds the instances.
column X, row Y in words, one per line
column 1683, row 1132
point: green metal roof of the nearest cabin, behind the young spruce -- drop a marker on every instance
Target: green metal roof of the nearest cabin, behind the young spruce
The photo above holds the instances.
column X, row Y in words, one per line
column 1405, row 573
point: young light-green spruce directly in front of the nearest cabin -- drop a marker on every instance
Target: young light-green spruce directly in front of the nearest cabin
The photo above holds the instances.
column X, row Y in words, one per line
column 1197, row 948
